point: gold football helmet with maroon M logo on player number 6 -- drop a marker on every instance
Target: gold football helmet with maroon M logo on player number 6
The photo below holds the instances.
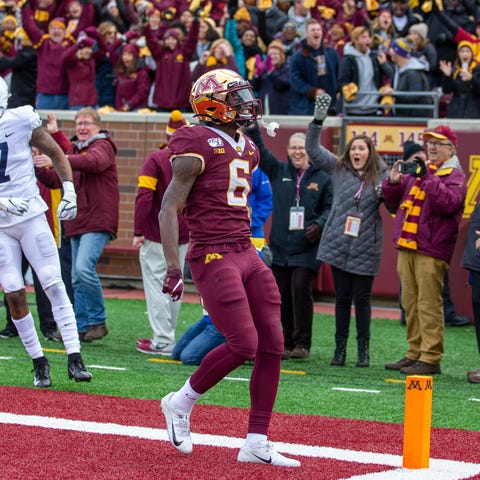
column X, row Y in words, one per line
column 223, row 96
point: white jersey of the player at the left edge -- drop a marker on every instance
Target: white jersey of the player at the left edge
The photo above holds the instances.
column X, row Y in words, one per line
column 17, row 172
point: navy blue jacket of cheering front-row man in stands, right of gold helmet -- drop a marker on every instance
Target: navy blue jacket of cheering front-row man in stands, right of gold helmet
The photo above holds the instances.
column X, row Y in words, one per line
column 304, row 80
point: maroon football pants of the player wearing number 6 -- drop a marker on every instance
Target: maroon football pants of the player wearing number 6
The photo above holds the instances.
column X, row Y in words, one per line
column 242, row 299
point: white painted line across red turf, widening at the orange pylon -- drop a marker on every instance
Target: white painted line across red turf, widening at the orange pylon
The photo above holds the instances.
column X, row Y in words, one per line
column 439, row 469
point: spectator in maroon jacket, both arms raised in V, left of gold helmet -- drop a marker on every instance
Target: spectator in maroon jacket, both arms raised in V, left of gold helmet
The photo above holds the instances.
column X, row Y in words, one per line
column 172, row 58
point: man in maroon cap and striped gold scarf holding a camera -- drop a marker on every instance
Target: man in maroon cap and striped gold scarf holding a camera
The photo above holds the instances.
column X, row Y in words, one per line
column 428, row 199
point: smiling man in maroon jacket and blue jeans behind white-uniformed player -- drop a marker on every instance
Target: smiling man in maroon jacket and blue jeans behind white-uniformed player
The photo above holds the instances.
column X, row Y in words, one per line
column 92, row 157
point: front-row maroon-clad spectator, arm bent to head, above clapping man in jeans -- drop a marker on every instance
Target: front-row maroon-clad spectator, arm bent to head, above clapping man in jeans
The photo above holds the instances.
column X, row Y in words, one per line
column 80, row 60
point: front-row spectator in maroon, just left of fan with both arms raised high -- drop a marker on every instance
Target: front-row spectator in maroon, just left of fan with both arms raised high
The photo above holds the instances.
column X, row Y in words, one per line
column 132, row 80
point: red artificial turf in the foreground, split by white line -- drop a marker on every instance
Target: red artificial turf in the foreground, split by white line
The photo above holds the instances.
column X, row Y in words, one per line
column 40, row 453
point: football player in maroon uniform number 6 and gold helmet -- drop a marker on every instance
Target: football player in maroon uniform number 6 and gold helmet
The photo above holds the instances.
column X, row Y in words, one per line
column 212, row 166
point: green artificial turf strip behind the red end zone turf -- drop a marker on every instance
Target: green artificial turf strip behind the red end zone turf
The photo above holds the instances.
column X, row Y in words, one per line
column 309, row 386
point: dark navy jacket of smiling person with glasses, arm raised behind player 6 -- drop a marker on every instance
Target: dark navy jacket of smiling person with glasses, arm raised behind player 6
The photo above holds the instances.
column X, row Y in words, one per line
column 291, row 247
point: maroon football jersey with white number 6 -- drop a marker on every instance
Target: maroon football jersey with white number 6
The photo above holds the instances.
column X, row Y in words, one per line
column 216, row 210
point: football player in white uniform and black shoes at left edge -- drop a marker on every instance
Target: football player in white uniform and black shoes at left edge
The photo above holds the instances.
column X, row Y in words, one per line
column 24, row 227
